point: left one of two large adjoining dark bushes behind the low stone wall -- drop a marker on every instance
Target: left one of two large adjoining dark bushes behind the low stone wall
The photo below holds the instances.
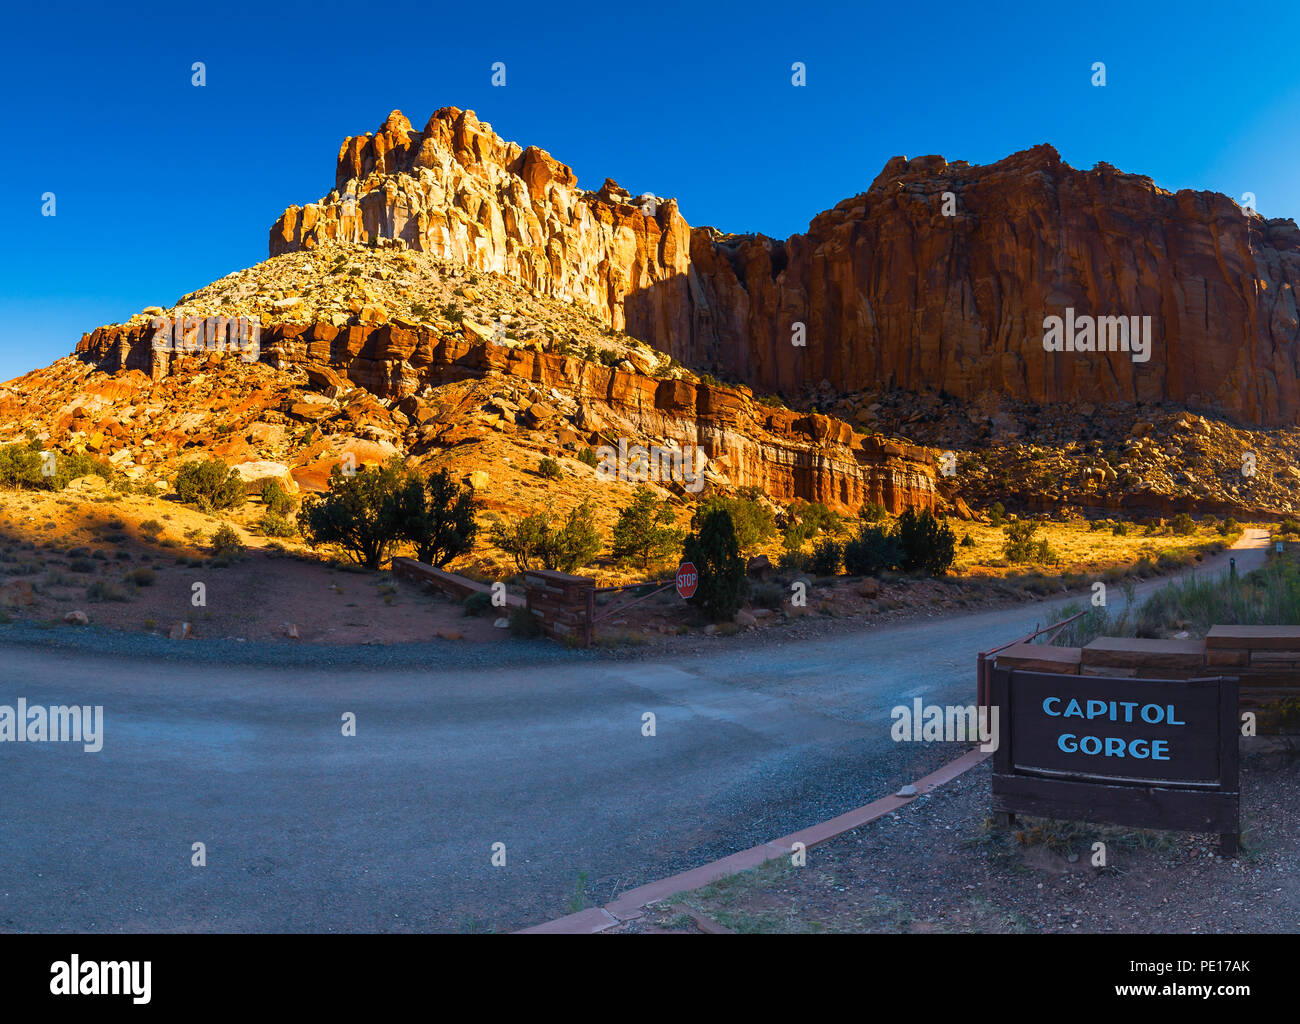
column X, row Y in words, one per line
column 359, row 514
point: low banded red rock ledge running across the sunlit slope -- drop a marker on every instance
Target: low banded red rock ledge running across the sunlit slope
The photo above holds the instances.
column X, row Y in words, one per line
column 783, row 453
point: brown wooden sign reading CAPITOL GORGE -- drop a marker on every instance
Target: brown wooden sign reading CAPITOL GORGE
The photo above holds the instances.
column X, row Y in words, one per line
column 1156, row 754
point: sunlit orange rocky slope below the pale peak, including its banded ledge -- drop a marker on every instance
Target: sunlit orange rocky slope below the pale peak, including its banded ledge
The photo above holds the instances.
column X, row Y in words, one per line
column 483, row 376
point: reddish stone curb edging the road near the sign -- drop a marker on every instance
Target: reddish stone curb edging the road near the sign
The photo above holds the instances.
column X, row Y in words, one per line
column 631, row 905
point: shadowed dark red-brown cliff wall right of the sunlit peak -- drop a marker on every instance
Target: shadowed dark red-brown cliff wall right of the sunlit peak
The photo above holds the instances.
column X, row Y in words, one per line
column 895, row 293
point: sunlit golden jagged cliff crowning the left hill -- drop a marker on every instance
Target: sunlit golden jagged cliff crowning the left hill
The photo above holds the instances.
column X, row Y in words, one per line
column 461, row 193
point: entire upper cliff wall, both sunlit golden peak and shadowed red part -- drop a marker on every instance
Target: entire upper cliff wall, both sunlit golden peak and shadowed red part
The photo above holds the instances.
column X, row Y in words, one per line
column 938, row 277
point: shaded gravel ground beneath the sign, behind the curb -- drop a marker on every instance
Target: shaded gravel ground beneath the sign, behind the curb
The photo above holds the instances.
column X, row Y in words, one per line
column 941, row 866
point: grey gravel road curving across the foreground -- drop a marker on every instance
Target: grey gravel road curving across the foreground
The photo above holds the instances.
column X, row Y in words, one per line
column 241, row 748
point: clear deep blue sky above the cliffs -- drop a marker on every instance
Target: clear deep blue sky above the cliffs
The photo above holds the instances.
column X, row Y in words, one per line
column 163, row 188
